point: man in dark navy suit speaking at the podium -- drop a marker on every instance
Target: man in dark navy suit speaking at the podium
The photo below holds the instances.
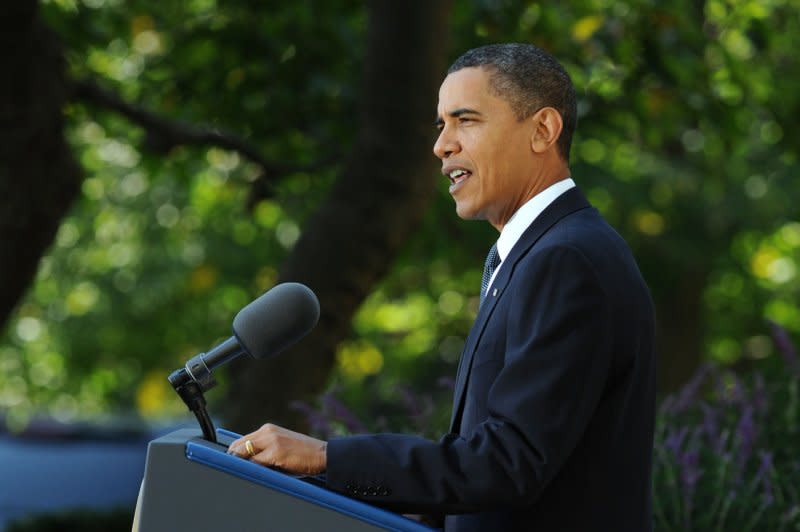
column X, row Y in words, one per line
column 553, row 412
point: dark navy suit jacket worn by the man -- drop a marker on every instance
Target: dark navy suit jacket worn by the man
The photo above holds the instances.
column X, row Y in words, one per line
column 554, row 403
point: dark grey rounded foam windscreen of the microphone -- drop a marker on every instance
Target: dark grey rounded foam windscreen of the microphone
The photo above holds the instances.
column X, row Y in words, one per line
column 276, row 320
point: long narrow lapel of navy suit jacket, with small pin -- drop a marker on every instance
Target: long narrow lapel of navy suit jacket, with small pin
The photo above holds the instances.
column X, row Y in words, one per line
column 569, row 202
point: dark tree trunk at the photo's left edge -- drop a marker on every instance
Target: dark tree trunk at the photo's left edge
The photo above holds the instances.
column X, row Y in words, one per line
column 39, row 179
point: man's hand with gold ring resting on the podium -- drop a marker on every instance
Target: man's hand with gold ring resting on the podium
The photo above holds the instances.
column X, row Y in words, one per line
column 276, row 446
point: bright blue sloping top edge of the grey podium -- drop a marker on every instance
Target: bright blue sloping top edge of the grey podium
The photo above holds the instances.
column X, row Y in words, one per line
column 205, row 453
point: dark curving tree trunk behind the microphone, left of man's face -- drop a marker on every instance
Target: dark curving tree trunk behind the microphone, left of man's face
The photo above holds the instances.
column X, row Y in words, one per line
column 385, row 186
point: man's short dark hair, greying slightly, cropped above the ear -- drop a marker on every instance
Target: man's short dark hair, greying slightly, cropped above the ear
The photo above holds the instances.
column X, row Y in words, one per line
column 528, row 78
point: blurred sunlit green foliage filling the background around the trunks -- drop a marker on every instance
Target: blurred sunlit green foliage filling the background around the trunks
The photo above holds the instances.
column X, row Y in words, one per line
column 686, row 143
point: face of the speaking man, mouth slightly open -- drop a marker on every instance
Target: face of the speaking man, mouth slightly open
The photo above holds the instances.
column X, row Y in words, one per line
column 485, row 151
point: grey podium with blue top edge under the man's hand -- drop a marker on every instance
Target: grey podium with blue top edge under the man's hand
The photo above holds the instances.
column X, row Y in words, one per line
column 191, row 484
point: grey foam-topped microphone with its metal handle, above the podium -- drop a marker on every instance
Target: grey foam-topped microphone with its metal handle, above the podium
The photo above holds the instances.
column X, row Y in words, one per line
column 276, row 320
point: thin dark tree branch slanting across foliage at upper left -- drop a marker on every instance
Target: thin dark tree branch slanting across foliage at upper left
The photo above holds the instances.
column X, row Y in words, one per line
column 164, row 134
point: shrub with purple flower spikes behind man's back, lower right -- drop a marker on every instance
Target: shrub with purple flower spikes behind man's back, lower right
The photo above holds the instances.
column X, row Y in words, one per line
column 725, row 454
